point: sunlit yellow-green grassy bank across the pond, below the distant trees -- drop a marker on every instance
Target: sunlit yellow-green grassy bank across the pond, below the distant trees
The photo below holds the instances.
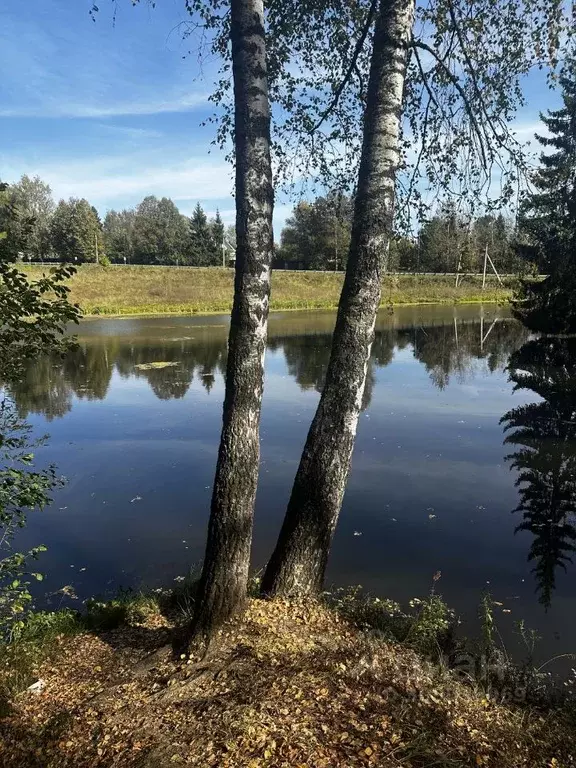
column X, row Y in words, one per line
column 171, row 290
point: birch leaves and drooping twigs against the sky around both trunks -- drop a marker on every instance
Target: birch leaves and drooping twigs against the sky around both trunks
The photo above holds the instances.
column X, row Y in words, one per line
column 463, row 87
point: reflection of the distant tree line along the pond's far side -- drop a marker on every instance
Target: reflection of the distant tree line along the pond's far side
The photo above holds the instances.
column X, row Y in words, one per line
column 448, row 348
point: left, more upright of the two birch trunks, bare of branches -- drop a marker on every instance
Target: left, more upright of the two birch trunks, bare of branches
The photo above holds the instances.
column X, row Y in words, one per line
column 223, row 584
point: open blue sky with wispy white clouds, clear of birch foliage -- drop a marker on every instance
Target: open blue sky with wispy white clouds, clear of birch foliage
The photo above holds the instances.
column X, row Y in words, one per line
column 113, row 112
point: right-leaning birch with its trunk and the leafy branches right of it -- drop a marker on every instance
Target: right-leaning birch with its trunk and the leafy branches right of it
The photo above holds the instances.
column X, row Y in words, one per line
column 469, row 98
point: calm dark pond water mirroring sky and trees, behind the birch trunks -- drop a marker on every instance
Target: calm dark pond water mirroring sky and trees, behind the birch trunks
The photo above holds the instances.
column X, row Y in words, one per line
column 431, row 488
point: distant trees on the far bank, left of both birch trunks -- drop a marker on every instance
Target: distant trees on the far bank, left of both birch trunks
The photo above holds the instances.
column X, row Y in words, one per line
column 154, row 232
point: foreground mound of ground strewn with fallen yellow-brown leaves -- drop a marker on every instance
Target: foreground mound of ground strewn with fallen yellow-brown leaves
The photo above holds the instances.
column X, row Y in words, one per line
column 290, row 684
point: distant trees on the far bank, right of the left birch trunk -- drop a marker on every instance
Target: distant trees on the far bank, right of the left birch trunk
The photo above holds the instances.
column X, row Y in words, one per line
column 317, row 236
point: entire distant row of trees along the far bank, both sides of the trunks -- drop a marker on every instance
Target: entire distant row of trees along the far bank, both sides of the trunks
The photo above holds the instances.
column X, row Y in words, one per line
column 315, row 237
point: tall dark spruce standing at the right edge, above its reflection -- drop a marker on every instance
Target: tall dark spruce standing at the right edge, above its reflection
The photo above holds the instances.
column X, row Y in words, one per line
column 548, row 221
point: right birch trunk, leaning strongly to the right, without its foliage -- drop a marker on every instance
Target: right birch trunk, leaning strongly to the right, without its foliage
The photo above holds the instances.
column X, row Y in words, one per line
column 299, row 561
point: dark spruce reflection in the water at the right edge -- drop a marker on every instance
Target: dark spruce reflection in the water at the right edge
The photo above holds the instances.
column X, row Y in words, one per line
column 544, row 437
